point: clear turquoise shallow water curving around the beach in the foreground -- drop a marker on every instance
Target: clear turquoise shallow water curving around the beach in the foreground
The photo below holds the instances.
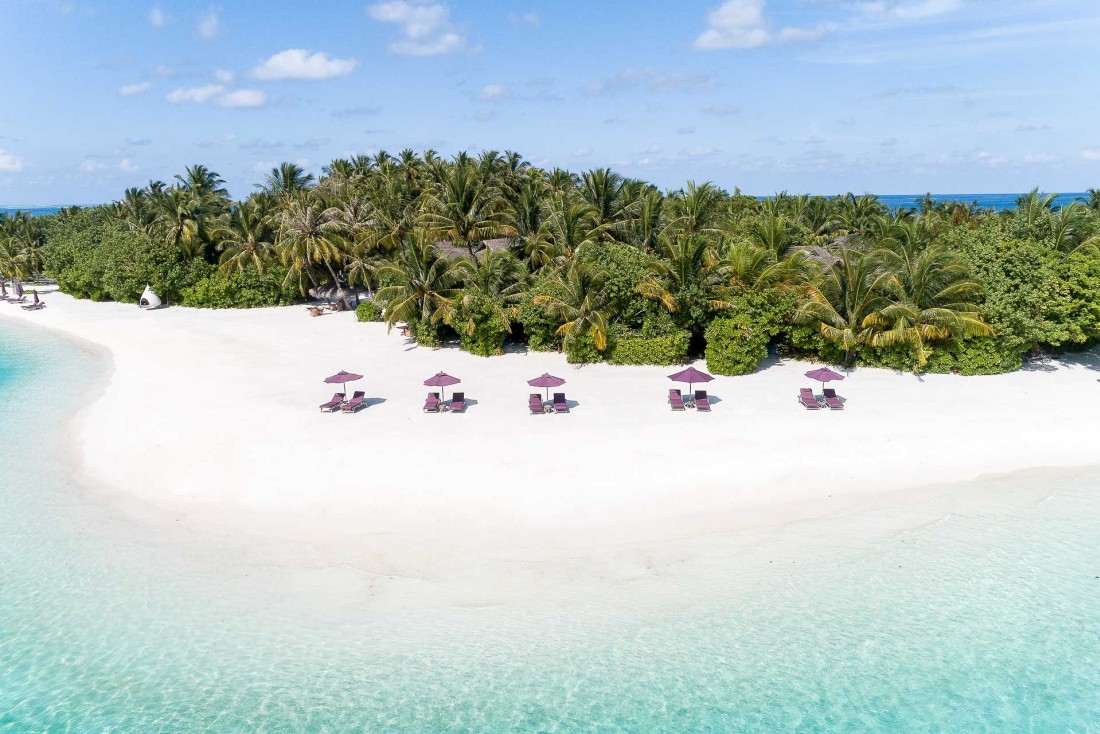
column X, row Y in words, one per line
column 976, row 610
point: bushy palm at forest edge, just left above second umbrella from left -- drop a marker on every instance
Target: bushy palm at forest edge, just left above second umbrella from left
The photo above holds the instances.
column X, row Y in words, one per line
column 425, row 283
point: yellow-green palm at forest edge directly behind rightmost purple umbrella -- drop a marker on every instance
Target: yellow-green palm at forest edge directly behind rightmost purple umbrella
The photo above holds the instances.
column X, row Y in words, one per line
column 843, row 298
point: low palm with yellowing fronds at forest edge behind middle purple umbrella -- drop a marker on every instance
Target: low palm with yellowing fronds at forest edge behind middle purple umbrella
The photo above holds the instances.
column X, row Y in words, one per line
column 582, row 304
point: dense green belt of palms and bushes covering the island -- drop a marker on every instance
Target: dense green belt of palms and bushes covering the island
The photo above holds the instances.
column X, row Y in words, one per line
column 490, row 249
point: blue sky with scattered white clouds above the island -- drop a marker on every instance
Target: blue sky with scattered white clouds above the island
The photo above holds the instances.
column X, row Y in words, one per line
column 818, row 96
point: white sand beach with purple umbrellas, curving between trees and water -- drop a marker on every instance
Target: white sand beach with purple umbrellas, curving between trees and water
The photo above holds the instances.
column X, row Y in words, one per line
column 212, row 418
